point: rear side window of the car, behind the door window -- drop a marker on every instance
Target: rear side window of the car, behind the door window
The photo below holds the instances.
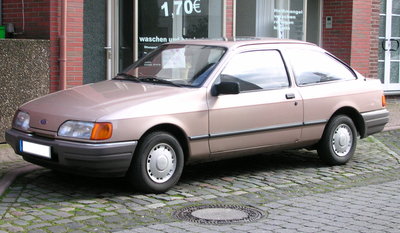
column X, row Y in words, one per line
column 312, row 67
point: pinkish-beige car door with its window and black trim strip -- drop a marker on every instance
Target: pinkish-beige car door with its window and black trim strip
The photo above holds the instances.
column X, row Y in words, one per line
column 266, row 112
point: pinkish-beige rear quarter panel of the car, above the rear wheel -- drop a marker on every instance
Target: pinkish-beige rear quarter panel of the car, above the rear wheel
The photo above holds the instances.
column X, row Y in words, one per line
column 321, row 101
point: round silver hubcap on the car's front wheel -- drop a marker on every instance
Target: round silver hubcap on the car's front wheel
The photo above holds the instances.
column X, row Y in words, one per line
column 161, row 163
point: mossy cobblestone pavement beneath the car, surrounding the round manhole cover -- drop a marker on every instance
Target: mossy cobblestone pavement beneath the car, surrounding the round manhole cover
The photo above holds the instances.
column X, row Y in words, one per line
column 295, row 190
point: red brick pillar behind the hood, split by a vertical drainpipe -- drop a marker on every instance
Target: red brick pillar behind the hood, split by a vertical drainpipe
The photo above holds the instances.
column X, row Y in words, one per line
column 74, row 43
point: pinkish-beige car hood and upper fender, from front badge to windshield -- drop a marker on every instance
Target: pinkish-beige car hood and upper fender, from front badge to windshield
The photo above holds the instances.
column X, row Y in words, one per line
column 107, row 101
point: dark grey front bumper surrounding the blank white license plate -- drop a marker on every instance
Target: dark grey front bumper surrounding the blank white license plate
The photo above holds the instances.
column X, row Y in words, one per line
column 97, row 159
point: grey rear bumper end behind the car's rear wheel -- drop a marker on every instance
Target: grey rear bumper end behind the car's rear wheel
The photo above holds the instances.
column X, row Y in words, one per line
column 374, row 121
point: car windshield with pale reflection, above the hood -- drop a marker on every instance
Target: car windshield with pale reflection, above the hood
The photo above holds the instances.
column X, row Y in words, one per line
column 180, row 65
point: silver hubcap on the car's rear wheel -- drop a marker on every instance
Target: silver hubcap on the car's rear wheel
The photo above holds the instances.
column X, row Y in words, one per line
column 342, row 140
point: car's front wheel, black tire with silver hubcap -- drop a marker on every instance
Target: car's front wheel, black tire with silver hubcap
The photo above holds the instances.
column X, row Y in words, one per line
column 157, row 163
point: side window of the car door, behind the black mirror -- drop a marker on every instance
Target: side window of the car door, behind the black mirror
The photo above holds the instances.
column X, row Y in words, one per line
column 257, row 70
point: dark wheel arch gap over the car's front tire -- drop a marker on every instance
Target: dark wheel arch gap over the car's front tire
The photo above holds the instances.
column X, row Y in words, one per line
column 177, row 132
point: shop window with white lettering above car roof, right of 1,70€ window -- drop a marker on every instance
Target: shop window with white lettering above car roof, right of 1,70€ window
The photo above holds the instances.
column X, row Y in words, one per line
column 290, row 19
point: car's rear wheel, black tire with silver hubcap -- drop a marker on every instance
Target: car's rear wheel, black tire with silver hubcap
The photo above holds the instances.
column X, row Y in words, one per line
column 339, row 141
